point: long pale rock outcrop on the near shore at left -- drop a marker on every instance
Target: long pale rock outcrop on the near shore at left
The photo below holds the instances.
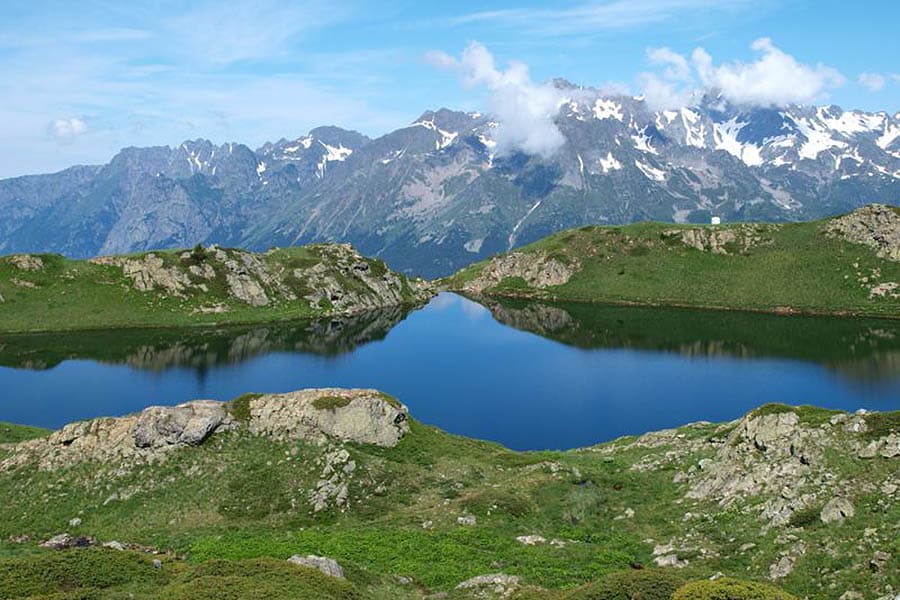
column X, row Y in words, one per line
column 315, row 416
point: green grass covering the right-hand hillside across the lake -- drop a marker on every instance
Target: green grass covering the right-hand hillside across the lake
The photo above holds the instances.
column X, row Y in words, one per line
column 796, row 269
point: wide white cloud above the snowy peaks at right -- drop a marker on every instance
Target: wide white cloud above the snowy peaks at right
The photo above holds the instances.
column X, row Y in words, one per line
column 774, row 79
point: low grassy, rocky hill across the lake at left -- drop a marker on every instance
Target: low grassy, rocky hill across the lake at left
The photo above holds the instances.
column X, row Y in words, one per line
column 190, row 287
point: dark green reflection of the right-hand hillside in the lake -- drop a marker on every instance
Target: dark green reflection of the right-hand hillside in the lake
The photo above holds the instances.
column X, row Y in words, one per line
column 858, row 348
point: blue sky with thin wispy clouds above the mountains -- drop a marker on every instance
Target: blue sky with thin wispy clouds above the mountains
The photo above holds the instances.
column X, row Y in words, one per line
column 79, row 80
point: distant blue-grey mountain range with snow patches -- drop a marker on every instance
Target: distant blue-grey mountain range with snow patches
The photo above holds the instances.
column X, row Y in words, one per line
column 437, row 195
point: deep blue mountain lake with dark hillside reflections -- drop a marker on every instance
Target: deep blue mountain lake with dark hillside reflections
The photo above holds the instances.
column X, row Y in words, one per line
column 529, row 376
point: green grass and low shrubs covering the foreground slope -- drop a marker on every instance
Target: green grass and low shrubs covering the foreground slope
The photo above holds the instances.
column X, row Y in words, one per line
column 230, row 511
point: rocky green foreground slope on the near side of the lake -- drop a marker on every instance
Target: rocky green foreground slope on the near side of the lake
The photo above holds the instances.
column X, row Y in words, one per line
column 340, row 494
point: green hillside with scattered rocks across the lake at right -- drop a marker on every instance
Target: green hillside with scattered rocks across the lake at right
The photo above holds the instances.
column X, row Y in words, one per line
column 843, row 265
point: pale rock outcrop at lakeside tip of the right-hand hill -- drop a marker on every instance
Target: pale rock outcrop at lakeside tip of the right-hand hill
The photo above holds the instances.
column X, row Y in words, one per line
column 537, row 269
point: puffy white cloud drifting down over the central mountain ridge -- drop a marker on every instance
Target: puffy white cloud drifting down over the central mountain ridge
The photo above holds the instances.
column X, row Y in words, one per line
column 525, row 110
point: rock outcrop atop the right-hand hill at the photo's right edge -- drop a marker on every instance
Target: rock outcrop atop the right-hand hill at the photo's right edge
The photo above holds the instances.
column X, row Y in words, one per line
column 875, row 225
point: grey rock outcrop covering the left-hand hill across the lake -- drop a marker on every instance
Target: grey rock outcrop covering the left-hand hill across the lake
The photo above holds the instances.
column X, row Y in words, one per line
column 330, row 277
